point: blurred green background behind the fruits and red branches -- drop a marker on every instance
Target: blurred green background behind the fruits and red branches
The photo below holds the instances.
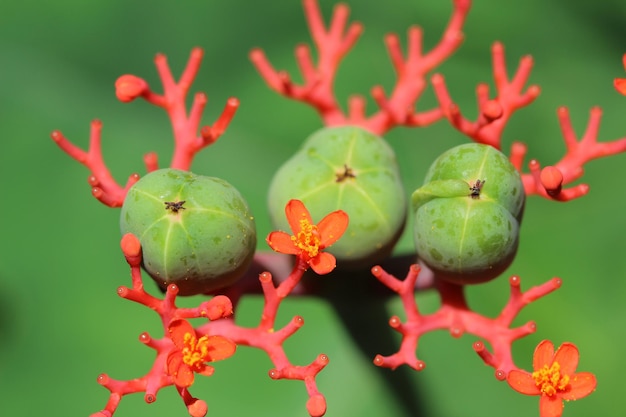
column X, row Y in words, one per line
column 61, row 322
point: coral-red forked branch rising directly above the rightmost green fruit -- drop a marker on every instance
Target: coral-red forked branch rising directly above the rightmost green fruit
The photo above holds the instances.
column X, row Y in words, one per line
column 493, row 113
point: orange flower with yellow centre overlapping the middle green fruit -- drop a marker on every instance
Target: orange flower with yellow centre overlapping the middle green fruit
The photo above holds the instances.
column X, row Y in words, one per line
column 309, row 240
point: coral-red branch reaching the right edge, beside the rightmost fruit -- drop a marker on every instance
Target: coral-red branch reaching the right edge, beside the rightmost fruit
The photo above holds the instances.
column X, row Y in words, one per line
column 549, row 181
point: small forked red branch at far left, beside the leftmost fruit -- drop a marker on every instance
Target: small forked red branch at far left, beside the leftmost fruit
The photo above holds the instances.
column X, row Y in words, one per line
column 103, row 185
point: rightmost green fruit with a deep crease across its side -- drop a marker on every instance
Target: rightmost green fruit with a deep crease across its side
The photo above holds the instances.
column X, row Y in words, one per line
column 467, row 214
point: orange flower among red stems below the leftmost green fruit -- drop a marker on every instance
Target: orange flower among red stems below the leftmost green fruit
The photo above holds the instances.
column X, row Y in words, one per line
column 192, row 352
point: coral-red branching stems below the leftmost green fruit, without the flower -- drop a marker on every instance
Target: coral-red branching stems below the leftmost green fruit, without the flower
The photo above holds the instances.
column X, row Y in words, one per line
column 218, row 310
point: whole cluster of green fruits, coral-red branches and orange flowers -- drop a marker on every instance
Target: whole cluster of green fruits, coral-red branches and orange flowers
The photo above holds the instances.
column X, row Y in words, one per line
column 195, row 234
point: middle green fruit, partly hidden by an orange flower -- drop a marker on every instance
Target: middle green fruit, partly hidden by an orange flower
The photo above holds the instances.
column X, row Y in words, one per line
column 351, row 169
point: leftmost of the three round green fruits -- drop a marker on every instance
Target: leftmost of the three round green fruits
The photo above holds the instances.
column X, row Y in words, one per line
column 196, row 232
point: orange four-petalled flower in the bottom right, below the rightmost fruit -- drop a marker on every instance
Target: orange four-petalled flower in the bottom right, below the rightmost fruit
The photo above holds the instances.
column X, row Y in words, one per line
column 554, row 378
